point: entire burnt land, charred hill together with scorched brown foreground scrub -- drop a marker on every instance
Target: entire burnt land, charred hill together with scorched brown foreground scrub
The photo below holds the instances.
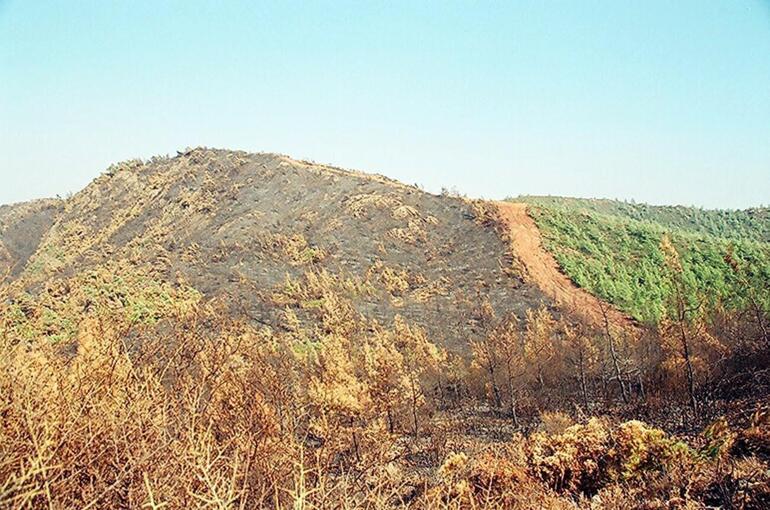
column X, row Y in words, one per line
column 305, row 371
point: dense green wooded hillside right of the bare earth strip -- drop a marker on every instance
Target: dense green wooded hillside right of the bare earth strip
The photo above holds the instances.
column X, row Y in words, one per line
column 612, row 249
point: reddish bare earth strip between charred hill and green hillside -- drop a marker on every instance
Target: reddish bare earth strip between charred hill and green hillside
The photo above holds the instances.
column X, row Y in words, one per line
column 544, row 271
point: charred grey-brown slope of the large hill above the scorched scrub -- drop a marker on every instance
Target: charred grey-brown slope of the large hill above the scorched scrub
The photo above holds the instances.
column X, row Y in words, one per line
column 266, row 233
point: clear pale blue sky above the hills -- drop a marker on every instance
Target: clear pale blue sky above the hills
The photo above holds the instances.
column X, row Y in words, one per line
column 658, row 101
